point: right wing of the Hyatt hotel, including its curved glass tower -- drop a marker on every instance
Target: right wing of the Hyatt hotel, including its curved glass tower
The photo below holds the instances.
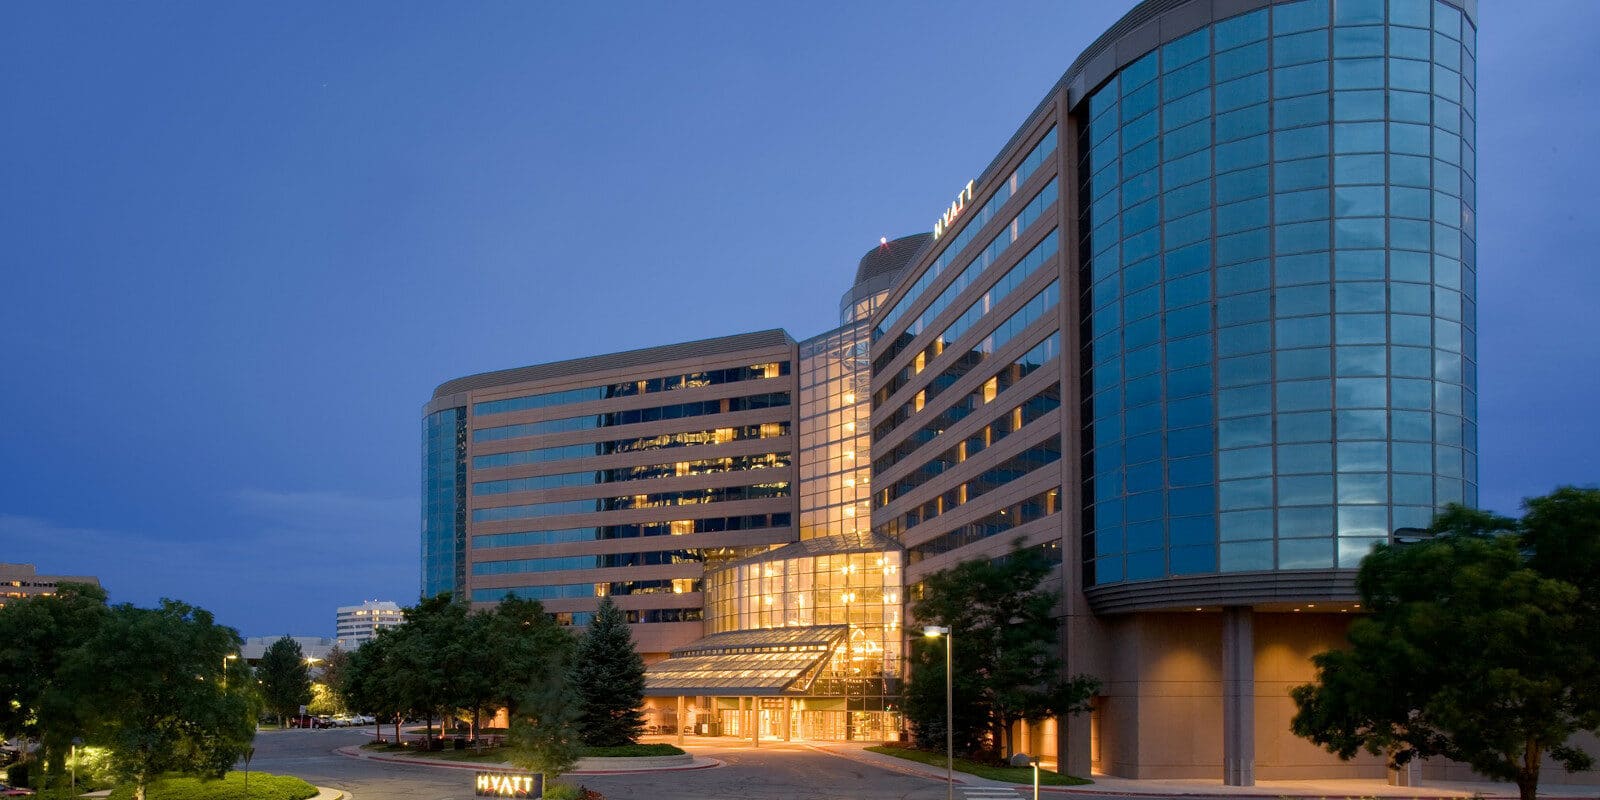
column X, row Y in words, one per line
column 1247, row 230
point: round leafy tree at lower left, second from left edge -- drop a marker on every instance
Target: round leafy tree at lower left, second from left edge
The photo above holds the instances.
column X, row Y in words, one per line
column 151, row 686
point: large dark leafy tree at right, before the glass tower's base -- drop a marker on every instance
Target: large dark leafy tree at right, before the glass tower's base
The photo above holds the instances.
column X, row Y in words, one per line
column 1479, row 646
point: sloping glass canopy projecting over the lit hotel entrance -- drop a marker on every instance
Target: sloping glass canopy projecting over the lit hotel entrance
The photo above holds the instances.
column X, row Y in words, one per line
column 770, row 662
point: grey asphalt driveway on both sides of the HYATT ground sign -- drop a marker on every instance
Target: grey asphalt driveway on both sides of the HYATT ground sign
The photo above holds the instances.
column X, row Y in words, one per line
column 772, row 774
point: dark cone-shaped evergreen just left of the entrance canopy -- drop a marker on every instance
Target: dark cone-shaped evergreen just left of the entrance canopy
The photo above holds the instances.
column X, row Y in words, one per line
column 609, row 678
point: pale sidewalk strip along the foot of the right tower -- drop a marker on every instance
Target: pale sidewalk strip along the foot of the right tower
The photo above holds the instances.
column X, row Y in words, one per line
column 1108, row 786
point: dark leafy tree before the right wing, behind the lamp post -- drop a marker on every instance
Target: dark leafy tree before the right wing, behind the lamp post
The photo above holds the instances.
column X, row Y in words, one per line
column 1006, row 658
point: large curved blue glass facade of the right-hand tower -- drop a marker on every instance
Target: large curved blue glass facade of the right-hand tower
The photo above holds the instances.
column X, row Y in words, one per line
column 1279, row 278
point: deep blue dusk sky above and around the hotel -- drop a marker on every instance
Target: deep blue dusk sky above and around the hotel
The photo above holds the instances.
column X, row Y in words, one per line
column 241, row 244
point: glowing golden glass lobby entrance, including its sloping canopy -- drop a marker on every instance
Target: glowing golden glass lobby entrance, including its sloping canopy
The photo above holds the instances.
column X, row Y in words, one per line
column 806, row 644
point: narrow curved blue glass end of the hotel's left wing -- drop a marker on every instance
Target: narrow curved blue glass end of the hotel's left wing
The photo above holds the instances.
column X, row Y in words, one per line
column 446, row 502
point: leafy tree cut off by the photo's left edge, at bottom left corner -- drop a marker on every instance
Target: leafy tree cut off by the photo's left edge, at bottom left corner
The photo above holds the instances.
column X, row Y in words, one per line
column 38, row 636
